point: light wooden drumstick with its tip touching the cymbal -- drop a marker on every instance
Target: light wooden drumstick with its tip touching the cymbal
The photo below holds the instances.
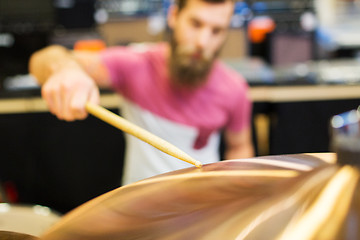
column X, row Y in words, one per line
column 140, row 133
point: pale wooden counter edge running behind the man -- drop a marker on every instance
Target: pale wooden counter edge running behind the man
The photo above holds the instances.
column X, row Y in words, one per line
column 271, row 94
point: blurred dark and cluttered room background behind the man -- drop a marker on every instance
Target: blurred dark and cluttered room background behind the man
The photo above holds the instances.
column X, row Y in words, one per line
column 301, row 59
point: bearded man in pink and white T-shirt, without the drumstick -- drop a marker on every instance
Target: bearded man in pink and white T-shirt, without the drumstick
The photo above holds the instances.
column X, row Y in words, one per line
column 179, row 91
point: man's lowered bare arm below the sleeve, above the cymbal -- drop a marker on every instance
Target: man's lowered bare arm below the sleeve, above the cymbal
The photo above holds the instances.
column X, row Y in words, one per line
column 238, row 144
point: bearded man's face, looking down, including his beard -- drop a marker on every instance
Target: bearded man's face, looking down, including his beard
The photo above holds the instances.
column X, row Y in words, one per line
column 199, row 31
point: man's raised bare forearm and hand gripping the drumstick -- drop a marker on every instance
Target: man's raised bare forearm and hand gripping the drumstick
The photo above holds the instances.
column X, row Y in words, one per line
column 69, row 80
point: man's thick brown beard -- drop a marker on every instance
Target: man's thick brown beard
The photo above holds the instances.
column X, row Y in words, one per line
column 189, row 67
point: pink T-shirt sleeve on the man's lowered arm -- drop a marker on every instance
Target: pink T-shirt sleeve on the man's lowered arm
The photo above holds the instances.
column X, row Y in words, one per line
column 241, row 112
